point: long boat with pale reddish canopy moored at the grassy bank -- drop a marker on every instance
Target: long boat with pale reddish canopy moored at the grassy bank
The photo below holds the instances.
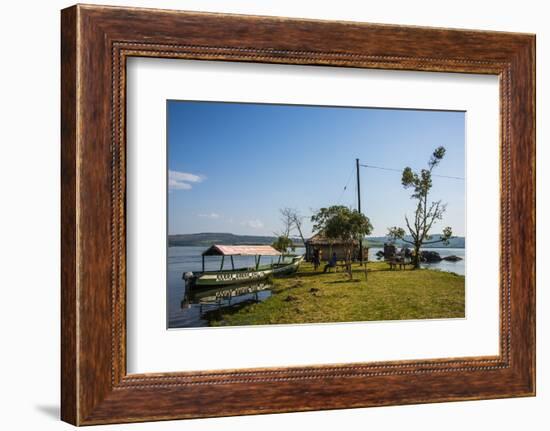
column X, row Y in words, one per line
column 286, row 264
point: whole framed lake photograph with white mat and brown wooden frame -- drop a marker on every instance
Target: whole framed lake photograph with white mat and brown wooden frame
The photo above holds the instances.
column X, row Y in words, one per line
column 264, row 215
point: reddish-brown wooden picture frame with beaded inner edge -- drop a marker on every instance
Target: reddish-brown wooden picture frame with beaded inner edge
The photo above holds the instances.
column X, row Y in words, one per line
column 96, row 42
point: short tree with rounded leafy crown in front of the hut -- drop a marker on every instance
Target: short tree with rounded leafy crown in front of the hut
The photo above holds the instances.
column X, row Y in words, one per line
column 342, row 223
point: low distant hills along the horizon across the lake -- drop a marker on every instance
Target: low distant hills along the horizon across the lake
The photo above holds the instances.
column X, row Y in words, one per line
column 205, row 239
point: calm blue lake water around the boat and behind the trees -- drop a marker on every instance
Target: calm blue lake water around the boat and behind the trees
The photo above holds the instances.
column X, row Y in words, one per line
column 185, row 311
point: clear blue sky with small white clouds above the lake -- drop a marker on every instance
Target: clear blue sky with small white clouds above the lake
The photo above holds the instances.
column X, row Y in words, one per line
column 233, row 165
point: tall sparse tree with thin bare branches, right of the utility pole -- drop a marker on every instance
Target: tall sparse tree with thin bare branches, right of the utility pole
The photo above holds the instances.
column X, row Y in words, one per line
column 426, row 215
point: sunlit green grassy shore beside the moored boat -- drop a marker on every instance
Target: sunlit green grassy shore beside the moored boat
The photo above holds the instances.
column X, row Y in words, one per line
column 313, row 297
